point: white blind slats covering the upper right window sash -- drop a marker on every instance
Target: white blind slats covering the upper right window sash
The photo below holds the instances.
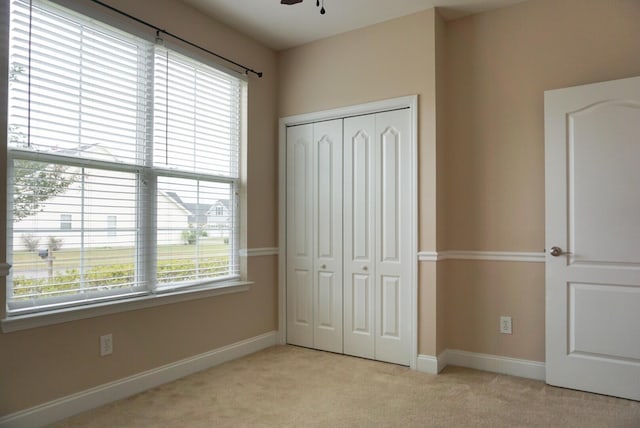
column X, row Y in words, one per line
column 196, row 116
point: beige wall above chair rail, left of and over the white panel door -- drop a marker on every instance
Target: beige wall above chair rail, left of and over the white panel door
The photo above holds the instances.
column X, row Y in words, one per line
column 499, row 64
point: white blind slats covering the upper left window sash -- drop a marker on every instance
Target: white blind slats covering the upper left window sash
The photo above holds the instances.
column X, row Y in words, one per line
column 77, row 88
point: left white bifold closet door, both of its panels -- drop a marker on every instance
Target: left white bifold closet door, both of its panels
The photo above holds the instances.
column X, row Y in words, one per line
column 314, row 235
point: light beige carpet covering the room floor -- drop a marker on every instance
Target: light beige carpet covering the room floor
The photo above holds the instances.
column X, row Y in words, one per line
column 288, row 386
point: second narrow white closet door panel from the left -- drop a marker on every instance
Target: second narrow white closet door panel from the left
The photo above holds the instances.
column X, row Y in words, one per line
column 327, row 235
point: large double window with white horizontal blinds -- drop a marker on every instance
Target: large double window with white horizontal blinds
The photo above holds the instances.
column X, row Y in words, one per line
column 118, row 133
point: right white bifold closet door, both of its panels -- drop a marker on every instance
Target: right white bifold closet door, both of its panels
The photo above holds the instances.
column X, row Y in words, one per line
column 377, row 236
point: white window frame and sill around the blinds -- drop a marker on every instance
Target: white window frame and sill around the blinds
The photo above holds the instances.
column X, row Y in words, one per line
column 154, row 295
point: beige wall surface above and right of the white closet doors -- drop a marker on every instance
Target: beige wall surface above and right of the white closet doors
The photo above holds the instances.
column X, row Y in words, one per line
column 387, row 60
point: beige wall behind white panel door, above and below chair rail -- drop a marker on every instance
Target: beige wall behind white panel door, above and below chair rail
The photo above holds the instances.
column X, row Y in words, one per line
column 498, row 66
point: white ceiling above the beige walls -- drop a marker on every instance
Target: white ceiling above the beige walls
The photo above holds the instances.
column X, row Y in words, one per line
column 283, row 26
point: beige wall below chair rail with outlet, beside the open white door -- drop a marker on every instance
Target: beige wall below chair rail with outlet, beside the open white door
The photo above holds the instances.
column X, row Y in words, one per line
column 478, row 292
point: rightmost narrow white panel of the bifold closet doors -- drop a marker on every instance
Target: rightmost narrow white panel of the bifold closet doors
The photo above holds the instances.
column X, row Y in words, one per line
column 393, row 237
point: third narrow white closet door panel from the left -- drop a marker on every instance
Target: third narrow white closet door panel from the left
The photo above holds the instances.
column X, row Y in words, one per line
column 359, row 221
